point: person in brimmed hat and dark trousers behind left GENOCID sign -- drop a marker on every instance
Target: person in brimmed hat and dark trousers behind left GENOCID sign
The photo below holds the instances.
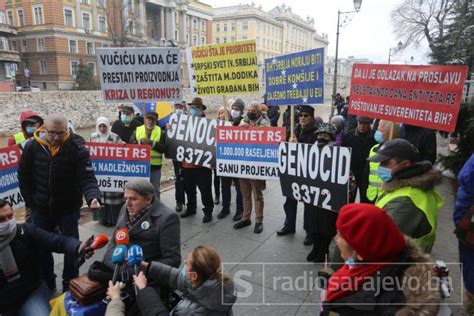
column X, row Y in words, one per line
column 197, row 176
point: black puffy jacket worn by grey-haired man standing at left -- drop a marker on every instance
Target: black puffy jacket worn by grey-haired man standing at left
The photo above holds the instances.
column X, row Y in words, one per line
column 55, row 185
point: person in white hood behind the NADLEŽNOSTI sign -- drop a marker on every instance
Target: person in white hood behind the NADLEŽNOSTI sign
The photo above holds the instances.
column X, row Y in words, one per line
column 112, row 201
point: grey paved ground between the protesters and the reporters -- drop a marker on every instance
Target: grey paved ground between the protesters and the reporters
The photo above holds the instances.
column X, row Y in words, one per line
column 271, row 272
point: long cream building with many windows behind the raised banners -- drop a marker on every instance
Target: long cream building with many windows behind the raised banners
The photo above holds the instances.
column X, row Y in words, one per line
column 276, row 32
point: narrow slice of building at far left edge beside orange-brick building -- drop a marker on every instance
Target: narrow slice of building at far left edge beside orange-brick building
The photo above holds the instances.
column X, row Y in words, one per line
column 9, row 58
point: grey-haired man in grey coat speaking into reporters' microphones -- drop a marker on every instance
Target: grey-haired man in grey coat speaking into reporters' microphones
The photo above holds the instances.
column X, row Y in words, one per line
column 150, row 225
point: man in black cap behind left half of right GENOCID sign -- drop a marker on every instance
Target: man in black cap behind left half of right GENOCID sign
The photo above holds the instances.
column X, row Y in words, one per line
column 304, row 133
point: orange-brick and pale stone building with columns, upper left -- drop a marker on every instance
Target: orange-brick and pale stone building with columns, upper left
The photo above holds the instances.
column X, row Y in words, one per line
column 55, row 36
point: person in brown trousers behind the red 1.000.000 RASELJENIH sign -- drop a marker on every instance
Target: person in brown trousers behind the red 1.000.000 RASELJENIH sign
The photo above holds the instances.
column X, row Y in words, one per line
column 250, row 187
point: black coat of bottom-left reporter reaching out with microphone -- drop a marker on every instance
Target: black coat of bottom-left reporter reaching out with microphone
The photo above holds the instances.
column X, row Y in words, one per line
column 26, row 247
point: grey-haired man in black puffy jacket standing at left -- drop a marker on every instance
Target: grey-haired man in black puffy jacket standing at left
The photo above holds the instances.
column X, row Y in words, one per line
column 54, row 174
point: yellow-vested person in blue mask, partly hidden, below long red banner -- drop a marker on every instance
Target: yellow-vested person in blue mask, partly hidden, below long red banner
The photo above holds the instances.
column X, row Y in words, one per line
column 382, row 134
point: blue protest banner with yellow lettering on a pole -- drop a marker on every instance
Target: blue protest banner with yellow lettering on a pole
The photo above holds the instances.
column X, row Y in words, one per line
column 296, row 78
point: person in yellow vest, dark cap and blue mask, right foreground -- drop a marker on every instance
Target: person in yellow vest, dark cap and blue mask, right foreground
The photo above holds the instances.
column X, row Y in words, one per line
column 408, row 192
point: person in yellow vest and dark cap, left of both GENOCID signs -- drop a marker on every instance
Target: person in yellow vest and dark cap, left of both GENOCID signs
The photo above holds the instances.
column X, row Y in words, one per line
column 152, row 135
